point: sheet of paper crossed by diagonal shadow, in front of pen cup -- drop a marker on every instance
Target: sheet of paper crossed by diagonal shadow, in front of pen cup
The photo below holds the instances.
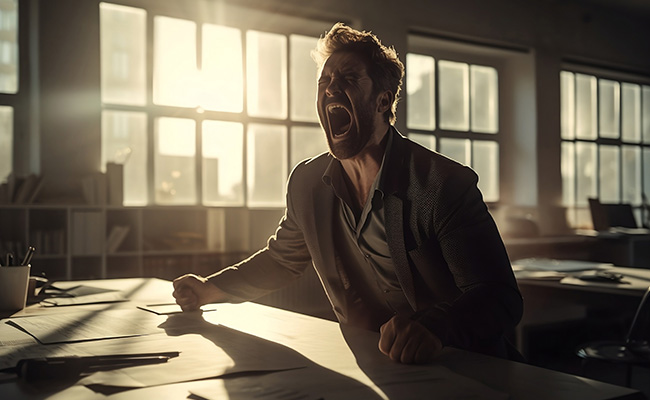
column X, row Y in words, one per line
column 88, row 325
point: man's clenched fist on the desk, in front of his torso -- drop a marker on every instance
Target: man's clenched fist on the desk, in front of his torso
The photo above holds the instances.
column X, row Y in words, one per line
column 408, row 341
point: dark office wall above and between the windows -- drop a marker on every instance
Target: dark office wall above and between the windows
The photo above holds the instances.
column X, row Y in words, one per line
column 67, row 57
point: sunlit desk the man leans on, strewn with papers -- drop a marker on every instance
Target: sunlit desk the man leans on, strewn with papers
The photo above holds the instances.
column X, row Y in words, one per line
column 339, row 363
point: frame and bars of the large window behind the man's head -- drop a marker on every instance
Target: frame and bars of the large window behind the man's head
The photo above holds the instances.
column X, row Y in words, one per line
column 244, row 19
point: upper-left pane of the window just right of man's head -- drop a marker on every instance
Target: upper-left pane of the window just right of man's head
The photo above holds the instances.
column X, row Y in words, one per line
column 420, row 92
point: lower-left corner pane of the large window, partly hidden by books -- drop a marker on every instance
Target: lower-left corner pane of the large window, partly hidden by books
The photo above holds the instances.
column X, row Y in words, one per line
column 124, row 141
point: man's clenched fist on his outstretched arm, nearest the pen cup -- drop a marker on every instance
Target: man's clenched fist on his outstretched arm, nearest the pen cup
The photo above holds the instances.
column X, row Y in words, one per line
column 192, row 291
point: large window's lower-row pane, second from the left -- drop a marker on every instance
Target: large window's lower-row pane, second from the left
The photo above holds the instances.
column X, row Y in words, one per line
column 174, row 161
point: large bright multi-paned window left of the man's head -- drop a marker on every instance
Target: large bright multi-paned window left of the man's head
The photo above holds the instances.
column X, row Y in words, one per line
column 214, row 114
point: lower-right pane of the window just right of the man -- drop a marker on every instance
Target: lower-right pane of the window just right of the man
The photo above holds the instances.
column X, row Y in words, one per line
column 485, row 161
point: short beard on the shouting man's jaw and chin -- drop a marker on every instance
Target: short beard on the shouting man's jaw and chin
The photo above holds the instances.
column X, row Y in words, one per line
column 356, row 139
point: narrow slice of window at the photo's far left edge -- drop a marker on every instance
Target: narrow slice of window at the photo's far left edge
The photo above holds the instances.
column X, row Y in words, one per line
column 8, row 83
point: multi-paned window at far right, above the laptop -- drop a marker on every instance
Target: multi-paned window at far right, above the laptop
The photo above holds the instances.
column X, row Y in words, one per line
column 605, row 132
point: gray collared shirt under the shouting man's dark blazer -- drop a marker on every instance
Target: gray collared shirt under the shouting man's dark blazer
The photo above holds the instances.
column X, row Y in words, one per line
column 373, row 293
